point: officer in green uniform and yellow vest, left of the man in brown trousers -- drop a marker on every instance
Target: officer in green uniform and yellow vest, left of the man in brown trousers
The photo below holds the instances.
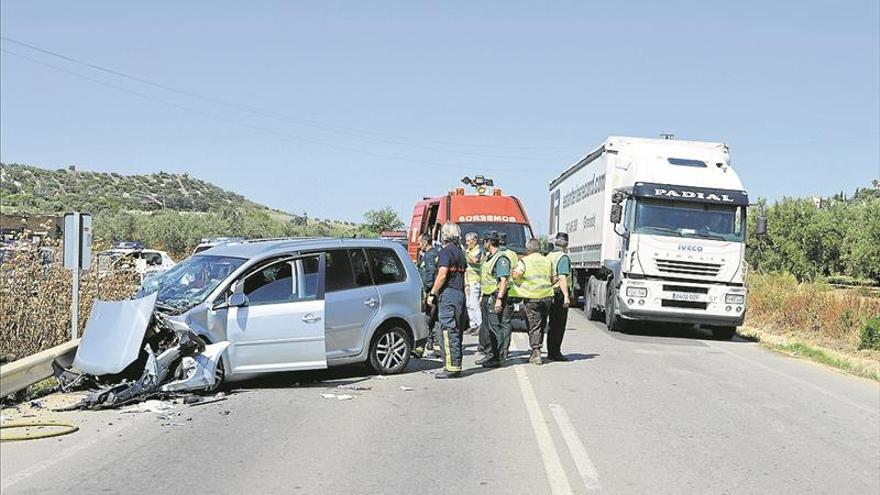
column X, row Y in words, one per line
column 496, row 312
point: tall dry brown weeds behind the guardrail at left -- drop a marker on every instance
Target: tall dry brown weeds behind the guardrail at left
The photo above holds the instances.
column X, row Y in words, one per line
column 35, row 301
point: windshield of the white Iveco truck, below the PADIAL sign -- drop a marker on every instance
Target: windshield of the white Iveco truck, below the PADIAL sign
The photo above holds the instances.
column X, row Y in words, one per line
column 687, row 219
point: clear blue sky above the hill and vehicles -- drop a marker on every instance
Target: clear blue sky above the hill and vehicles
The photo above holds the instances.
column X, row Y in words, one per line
column 792, row 87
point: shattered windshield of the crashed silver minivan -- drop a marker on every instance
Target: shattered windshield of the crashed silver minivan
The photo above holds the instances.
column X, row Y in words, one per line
column 190, row 281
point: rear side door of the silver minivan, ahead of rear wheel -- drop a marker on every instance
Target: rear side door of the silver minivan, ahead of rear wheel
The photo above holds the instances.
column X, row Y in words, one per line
column 353, row 299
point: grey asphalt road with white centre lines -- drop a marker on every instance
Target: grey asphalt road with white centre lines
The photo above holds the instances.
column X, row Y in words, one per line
column 667, row 411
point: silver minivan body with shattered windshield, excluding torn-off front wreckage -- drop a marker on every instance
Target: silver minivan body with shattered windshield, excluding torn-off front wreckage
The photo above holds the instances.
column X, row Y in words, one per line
column 298, row 304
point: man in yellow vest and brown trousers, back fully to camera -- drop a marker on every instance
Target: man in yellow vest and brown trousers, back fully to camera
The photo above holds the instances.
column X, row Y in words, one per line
column 533, row 279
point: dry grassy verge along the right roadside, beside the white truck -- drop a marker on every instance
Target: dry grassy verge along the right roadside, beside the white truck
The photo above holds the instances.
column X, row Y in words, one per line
column 813, row 320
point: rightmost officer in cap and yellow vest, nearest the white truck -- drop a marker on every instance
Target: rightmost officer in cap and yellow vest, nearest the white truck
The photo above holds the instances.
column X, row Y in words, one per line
column 561, row 266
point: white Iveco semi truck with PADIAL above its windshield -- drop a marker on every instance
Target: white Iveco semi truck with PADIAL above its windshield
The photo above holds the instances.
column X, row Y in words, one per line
column 657, row 233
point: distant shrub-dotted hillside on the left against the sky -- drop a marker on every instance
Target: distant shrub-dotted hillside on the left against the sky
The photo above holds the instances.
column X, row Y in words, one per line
column 31, row 189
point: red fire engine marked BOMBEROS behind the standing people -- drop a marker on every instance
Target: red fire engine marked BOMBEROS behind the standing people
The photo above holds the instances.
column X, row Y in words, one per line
column 477, row 212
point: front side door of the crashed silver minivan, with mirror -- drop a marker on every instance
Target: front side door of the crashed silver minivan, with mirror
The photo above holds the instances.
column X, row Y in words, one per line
column 280, row 324
